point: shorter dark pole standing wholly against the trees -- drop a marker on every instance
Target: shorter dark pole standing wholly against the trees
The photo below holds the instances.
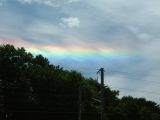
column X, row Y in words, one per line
column 80, row 103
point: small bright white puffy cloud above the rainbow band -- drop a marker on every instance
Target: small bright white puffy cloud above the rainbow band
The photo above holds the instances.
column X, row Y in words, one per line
column 71, row 22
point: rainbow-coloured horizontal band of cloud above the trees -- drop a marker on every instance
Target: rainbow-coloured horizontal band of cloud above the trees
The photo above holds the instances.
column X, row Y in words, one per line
column 78, row 52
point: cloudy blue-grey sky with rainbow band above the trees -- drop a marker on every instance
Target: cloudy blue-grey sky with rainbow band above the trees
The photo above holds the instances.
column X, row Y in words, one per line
column 121, row 36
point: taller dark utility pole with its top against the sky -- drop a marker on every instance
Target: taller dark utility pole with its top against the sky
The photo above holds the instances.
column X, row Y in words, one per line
column 102, row 92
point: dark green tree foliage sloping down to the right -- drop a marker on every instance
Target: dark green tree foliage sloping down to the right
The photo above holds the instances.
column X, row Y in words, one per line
column 33, row 89
